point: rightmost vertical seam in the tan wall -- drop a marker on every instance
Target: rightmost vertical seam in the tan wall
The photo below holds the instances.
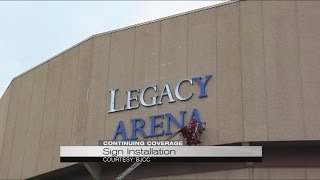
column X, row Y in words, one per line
column 299, row 71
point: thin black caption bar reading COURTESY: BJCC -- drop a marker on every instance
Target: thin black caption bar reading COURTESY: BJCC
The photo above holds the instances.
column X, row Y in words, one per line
column 160, row 159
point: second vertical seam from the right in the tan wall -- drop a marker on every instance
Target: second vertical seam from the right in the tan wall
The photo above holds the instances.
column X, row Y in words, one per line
column 265, row 71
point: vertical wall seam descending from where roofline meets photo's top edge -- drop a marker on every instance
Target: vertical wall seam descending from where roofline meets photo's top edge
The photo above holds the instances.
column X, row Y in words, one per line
column 241, row 75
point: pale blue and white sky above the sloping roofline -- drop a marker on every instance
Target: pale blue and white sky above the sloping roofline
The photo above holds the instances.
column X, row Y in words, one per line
column 33, row 32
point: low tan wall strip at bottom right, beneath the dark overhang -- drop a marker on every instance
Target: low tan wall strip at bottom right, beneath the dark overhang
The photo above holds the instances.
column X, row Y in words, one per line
column 253, row 173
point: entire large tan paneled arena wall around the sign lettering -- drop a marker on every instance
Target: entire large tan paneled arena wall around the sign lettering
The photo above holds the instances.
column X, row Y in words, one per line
column 264, row 58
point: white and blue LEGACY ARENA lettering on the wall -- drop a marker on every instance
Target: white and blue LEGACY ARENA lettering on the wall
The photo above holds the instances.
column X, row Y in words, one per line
column 135, row 97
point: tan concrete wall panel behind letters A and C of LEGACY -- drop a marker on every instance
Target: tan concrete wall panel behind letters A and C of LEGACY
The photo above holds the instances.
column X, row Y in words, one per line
column 173, row 63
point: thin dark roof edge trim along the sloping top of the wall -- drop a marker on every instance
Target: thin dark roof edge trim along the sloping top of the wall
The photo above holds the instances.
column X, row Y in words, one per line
column 128, row 27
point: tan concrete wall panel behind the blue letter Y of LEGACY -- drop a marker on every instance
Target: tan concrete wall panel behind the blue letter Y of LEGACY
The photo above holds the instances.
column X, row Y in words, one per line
column 201, row 62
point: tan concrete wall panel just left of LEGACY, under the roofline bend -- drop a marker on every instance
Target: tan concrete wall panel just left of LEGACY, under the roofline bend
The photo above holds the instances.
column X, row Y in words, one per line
column 97, row 96
